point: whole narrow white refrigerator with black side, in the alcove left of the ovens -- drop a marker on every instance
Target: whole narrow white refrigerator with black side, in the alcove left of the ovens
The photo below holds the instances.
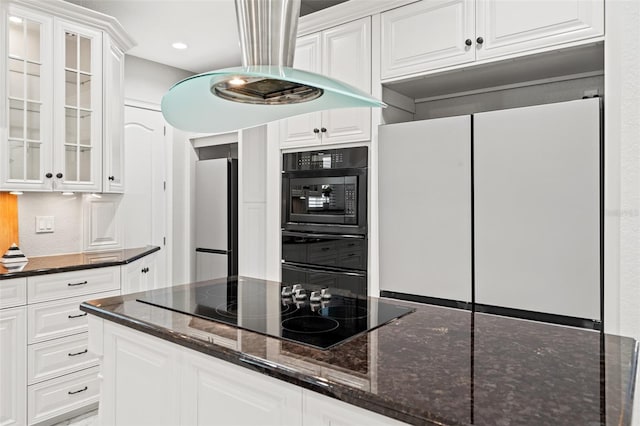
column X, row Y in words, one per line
column 216, row 218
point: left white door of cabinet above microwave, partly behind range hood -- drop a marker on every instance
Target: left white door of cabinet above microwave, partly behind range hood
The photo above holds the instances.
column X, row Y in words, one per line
column 299, row 130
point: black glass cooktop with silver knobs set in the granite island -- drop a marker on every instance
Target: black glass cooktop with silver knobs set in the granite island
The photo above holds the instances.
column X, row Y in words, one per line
column 259, row 306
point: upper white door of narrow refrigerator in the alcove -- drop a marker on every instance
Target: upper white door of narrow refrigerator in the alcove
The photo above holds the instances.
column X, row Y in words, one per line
column 212, row 225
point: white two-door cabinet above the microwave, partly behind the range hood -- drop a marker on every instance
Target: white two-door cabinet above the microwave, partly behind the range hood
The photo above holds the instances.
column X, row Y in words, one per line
column 343, row 53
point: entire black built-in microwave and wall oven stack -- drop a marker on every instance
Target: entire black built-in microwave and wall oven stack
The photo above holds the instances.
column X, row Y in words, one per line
column 324, row 220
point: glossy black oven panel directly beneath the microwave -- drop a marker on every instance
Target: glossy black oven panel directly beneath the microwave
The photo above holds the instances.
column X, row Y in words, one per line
column 347, row 252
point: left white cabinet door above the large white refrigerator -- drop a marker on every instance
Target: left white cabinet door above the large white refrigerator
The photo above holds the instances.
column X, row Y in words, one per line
column 427, row 35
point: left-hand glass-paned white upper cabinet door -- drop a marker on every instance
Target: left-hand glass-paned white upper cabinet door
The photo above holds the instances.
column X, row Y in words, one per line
column 26, row 130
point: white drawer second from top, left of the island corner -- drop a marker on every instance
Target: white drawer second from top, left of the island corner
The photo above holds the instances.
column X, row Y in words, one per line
column 59, row 318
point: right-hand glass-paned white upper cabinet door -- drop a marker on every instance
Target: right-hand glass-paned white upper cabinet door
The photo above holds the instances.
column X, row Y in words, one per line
column 78, row 109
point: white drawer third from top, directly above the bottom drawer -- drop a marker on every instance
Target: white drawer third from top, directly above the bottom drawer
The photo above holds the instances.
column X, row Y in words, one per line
column 58, row 357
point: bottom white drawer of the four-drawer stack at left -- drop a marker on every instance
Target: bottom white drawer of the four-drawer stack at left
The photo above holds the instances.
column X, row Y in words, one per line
column 57, row 396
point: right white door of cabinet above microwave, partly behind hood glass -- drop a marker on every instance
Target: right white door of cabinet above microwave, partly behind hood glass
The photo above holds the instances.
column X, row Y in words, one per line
column 346, row 56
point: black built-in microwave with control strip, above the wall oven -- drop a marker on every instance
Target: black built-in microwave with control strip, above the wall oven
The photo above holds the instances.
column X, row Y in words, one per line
column 325, row 191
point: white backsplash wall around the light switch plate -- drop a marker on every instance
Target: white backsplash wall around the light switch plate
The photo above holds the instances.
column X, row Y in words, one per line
column 67, row 212
